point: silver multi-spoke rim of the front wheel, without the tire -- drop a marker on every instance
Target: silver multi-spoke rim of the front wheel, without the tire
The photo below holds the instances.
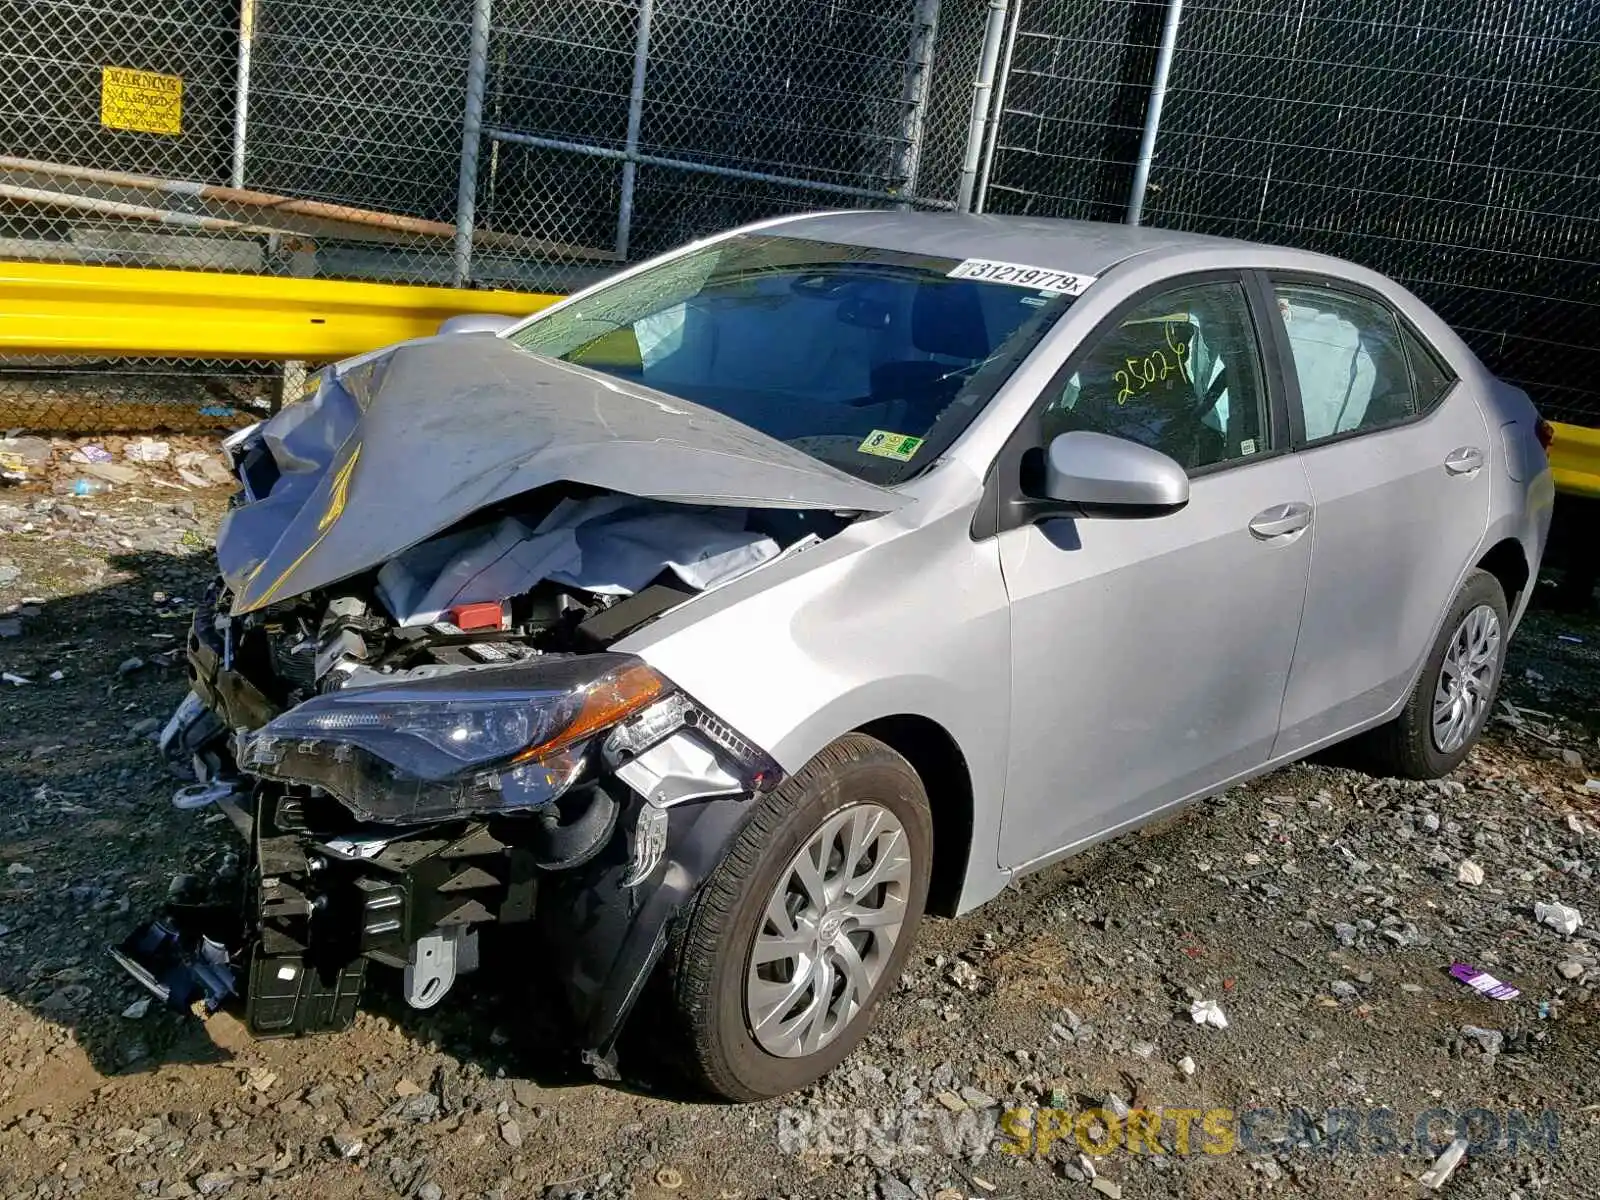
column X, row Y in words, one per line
column 828, row 932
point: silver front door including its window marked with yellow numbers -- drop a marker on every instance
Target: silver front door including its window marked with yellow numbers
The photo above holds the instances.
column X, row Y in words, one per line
column 1150, row 655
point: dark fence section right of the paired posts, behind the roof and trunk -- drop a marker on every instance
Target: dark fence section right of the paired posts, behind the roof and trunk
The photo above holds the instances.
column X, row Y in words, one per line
column 1450, row 145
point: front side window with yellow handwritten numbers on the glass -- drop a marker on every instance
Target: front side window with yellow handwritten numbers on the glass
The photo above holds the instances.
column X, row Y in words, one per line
column 1182, row 374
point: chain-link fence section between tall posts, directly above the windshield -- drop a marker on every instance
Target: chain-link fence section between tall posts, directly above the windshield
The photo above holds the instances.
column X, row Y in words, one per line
column 620, row 130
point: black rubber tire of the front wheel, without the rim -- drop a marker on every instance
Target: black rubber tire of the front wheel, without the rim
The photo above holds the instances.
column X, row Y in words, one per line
column 710, row 956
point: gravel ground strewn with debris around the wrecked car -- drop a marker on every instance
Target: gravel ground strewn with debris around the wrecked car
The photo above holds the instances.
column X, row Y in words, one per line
column 1319, row 908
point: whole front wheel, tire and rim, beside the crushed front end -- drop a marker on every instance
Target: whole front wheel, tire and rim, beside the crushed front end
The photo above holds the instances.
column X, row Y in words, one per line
column 806, row 924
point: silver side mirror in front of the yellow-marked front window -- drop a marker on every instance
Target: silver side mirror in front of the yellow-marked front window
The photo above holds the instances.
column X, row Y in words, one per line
column 1111, row 474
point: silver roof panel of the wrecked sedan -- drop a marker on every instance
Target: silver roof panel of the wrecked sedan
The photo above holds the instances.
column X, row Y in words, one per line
column 1081, row 247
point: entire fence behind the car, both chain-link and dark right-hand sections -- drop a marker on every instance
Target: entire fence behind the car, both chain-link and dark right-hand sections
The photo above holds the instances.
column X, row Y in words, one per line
column 535, row 145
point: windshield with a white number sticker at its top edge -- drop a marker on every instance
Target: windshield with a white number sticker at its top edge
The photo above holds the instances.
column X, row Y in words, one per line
column 868, row 359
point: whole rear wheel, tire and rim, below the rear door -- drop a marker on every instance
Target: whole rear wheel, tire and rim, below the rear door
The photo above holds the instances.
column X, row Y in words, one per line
column 1455, row 695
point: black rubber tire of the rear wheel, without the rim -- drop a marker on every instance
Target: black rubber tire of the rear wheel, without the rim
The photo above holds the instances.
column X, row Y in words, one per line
column 1406, row 746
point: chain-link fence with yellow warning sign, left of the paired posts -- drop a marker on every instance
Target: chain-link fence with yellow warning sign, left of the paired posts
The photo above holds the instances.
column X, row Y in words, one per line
column 527, row 145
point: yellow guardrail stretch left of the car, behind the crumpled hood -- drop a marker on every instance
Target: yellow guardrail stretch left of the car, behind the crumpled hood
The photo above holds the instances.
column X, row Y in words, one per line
column 57, row 310
